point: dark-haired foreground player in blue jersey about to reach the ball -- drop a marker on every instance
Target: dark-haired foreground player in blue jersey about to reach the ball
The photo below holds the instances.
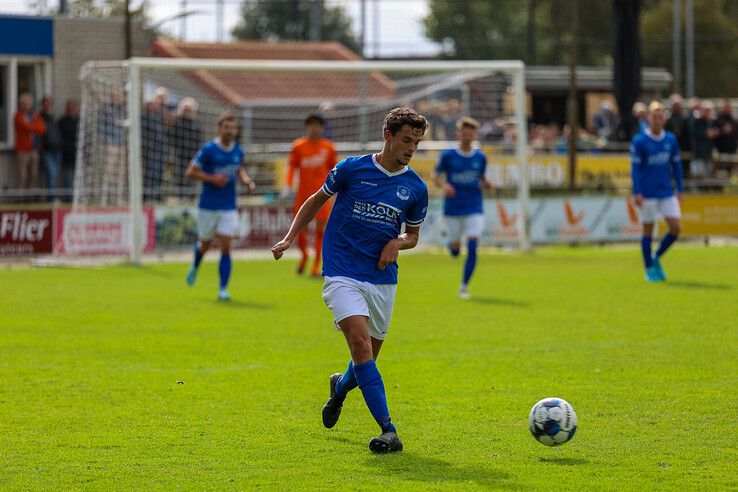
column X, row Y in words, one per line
column 376, row 195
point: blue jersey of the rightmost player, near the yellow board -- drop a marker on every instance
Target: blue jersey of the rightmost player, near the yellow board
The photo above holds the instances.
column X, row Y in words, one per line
column 654, row 162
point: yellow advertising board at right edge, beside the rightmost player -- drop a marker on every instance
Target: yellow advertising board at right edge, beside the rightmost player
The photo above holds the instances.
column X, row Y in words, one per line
column 704, row 215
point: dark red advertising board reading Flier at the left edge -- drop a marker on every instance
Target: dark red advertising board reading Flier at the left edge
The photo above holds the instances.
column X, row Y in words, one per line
column 25, row 232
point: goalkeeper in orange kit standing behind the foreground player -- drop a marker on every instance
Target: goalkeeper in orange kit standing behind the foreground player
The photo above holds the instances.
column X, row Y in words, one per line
column 312, row 156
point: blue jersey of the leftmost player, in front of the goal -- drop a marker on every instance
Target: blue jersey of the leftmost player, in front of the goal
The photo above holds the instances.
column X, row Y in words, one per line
column 213, row 158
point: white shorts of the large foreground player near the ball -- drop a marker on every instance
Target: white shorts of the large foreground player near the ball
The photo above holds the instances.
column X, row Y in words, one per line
column 348, row 297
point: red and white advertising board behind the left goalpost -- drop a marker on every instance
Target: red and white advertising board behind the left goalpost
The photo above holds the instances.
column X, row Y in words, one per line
column 100, row 231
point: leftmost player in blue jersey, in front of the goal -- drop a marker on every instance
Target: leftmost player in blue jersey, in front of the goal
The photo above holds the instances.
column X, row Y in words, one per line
column 217, row 164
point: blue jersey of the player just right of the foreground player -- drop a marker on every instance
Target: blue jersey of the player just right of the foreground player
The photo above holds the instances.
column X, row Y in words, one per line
column 465, row 173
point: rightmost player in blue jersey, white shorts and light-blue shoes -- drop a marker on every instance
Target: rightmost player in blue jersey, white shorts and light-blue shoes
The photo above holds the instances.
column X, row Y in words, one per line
column 655, row 162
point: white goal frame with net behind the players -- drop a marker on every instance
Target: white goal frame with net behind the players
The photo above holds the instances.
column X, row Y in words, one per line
column 428, row 76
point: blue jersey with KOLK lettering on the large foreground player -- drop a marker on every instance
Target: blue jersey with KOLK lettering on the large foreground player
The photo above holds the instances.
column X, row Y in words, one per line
column 371, row 206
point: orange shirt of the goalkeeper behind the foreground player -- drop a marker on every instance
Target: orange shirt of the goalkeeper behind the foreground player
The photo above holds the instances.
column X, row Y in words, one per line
column 313, row 159
